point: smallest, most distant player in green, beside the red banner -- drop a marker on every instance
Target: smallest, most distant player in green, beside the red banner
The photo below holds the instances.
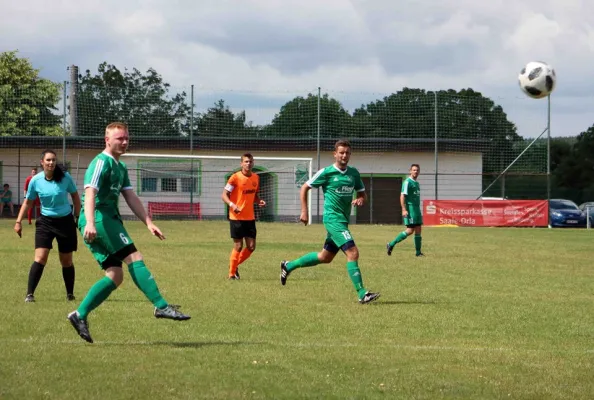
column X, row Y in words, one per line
column 410, row 200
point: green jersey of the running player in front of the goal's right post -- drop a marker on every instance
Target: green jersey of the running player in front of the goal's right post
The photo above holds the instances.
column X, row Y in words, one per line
column 338, row 187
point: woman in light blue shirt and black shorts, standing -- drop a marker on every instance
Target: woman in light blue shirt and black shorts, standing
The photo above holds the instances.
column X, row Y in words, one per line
column 57, row 221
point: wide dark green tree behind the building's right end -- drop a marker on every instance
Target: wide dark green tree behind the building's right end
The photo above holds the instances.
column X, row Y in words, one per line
column 464, row 115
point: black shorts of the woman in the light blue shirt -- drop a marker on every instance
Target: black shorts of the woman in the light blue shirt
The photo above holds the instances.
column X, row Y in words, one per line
column 63, row 229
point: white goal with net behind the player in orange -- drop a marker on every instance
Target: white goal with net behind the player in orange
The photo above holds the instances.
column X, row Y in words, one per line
column 174, row 186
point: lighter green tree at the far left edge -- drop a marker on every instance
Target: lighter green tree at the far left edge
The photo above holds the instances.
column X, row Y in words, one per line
column 27, row 102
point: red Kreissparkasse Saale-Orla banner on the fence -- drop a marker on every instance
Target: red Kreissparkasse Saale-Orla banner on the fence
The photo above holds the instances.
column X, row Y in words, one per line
column 486, row 212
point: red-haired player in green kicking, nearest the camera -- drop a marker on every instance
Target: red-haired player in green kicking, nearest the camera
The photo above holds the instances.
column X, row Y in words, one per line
column 104, row 234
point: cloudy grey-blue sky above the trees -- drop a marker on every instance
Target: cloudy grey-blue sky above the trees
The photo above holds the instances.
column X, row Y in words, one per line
column 258, row 54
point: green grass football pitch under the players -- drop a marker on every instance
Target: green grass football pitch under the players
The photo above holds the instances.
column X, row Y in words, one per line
column 487, row 314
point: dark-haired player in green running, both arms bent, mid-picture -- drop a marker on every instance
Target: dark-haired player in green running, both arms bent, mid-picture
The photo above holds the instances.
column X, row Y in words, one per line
column 338, row 182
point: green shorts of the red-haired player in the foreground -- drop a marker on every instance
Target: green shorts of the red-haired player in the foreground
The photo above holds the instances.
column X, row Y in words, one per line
column 111, row 236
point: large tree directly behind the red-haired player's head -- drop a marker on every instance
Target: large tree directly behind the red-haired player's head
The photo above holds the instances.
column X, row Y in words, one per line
column 143, row 101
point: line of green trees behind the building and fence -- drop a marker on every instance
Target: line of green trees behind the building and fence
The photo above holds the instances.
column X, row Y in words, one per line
column 145, row 101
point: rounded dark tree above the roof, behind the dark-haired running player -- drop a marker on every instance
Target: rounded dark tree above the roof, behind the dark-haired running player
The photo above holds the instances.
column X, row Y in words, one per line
column 299, row 118
